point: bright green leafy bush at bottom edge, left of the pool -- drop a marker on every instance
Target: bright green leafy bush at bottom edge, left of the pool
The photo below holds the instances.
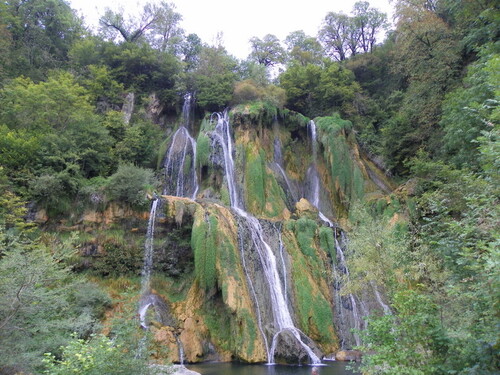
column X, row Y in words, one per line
column 99, row 355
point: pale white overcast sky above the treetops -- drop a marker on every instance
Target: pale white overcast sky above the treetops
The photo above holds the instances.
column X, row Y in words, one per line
column 237, row 20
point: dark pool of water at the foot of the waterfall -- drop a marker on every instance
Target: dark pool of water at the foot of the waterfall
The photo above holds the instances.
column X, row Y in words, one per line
column 329, row 368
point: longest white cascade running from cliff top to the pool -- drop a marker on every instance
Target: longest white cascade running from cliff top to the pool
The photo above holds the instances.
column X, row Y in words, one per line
column 281, row 313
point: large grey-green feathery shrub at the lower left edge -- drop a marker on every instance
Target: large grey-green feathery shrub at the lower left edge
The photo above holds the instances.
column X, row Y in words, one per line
column 43, row 301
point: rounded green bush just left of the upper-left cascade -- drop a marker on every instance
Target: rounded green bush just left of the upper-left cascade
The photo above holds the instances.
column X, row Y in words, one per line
column 129, row 184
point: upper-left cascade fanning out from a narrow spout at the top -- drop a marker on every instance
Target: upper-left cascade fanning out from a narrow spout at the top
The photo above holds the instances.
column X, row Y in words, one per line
column 179, row 165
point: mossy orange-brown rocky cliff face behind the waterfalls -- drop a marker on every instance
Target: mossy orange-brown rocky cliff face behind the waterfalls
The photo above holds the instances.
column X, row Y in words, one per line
column 206, row 267
